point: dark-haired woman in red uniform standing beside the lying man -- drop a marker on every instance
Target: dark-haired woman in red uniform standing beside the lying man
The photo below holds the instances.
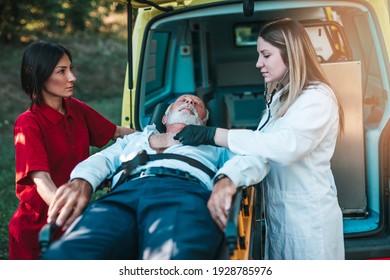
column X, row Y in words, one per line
column 51, row 137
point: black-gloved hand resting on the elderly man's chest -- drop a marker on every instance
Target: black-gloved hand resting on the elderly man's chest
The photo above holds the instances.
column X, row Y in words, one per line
column 195, row 135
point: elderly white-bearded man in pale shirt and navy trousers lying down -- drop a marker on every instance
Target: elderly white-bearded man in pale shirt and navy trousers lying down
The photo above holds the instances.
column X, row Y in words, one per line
column 158, row 210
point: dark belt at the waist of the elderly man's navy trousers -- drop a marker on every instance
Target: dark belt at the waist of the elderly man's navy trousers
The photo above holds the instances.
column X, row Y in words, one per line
column 163, row 171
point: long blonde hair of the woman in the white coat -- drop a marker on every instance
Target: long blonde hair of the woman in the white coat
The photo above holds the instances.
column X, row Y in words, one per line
column 299, row 55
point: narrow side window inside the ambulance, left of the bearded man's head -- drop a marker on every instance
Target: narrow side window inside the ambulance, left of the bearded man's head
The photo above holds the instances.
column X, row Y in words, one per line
column 156, row 61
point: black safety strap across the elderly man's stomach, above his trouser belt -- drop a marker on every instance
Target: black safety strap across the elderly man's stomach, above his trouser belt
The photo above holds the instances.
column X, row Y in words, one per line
column 142, row 158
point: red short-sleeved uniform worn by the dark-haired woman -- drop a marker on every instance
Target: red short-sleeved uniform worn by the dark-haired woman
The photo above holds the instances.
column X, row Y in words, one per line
column 46, row 140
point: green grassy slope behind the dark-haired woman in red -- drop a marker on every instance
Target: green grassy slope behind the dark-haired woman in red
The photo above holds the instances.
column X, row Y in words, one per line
column 99, row 67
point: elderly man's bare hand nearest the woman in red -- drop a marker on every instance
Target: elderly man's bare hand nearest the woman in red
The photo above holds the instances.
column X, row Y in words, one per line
column 69, row 202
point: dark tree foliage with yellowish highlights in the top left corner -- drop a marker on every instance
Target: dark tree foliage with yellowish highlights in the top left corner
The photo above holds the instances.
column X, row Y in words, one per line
column 27, row 20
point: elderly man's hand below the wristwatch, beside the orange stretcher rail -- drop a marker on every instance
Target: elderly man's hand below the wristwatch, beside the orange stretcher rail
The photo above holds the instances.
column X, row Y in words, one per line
column 220, row 201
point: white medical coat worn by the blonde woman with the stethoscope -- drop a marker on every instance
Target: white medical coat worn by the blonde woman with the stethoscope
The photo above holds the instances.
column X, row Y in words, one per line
column 303, row 217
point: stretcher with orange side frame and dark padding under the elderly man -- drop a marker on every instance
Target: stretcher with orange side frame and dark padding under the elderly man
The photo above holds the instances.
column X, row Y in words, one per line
column 243, row 233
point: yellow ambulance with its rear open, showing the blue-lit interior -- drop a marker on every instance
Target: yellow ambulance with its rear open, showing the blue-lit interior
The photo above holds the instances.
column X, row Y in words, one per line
column 208, row 48
